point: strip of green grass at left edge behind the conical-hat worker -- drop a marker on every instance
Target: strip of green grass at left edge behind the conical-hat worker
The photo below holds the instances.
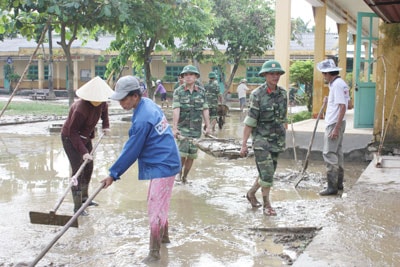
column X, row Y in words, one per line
column 34, row 108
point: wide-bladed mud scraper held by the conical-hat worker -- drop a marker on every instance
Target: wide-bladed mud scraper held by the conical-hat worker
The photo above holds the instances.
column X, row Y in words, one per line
column 52, row 218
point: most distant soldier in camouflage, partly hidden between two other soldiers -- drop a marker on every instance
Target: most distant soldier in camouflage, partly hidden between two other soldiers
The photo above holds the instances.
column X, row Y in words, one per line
column 213, row 95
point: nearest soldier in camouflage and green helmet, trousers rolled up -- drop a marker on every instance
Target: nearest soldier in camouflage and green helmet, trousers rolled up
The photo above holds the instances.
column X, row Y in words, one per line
column 266, row 122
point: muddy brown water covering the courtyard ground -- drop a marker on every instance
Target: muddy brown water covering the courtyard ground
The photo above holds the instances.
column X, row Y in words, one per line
column 209, row 217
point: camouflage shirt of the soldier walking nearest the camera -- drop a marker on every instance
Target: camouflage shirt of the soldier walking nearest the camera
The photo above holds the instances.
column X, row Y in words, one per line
column 267, row 117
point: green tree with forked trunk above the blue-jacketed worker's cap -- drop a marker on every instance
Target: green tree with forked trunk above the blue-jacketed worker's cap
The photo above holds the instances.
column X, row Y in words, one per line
column 156, row 27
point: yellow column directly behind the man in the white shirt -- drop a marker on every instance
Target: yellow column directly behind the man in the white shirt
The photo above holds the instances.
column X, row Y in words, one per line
column 319, row 88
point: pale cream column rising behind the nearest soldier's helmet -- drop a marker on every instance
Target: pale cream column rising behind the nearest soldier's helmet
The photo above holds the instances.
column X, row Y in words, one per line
column 282, row 38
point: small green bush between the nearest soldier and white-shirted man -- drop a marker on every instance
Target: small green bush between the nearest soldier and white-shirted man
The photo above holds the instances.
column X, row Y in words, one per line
column 302, row 72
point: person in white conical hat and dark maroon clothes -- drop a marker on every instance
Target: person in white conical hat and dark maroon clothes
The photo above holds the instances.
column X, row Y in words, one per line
column 79, row 130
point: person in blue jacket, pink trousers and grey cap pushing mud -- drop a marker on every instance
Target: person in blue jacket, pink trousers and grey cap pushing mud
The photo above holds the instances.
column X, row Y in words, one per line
column 152, row 143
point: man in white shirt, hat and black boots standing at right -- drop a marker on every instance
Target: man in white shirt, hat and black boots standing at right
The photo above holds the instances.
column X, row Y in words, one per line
column 337, row 103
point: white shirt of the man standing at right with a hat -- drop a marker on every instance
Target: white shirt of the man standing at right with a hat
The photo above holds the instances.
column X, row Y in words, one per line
column 338, row 94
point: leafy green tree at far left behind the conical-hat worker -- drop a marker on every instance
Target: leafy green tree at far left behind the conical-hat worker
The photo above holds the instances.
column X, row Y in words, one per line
column 72, row 19
